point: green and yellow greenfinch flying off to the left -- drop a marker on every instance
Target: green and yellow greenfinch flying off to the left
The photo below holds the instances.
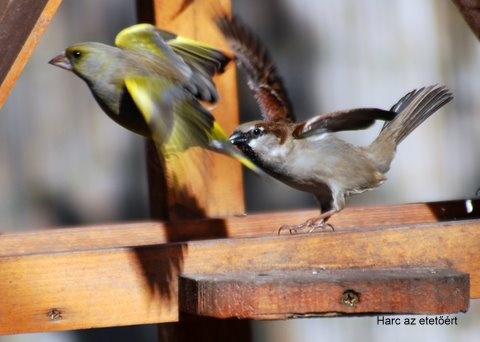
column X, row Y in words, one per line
column 151, row 83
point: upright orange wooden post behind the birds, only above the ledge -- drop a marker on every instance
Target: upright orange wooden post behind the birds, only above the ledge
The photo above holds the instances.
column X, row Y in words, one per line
column 208, row 191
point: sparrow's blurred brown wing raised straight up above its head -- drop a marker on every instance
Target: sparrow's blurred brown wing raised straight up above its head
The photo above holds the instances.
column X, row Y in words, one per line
column 262, row 75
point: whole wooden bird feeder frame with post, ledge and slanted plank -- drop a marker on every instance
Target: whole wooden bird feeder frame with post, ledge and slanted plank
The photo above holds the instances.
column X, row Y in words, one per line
column 219, row 273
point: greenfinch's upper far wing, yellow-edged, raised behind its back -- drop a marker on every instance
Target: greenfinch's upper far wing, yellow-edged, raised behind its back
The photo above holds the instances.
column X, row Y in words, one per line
column 188, row 62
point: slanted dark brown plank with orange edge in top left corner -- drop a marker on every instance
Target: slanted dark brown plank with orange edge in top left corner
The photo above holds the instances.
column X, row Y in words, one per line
column 22, row 23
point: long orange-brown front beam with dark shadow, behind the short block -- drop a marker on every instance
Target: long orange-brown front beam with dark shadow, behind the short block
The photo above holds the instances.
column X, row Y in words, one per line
column 137, row 285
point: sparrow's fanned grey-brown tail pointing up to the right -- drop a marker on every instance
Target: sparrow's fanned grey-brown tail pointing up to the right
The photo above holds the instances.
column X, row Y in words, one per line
column 412, row 109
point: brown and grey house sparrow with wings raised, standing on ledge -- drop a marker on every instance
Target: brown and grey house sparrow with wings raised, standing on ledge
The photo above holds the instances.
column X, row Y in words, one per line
column 307, row 155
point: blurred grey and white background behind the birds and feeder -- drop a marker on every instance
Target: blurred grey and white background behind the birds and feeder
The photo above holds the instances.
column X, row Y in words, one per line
column 64, row 162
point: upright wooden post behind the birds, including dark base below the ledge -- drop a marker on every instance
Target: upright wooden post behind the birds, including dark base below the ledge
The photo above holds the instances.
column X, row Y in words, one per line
column 219, row 193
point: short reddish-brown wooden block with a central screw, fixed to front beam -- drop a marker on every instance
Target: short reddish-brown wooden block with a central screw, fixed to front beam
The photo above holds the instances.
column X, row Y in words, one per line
column 283, row 294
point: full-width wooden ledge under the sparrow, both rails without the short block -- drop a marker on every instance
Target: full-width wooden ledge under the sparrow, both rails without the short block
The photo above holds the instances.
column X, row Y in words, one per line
column 128, row 274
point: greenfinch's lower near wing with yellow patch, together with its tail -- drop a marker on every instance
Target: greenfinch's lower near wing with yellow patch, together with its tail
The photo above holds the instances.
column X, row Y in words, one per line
column 177, row 121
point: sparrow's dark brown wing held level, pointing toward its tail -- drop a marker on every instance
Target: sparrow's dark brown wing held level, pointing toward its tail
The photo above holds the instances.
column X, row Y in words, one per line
column 345, row 120
